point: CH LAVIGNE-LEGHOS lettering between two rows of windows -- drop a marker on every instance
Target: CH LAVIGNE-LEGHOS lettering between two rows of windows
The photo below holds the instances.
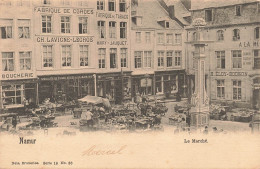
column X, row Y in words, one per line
column 53, row 39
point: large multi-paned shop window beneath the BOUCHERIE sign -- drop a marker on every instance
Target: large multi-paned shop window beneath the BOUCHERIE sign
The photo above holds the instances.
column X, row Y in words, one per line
column 13, row 94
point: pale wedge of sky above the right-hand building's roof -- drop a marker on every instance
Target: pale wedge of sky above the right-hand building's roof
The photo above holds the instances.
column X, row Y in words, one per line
column 201, row 4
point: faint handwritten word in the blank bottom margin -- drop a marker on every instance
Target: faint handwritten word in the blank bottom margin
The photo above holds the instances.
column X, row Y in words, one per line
column 99, row 150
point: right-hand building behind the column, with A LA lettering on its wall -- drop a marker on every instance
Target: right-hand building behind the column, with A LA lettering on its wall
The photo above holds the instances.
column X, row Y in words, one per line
column 232, row 54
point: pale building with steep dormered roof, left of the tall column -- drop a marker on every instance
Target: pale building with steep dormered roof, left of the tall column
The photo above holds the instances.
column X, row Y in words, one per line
column 157, row 46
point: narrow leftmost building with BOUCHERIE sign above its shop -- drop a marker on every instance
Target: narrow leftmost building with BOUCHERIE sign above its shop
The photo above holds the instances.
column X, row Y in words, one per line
column 18, row 79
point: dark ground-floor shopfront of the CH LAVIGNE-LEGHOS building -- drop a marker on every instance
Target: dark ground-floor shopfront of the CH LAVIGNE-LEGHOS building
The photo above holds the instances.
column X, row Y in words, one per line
column 63, row 88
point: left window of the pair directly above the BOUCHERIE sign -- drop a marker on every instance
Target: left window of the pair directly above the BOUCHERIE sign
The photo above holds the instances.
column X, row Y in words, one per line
column 7, row 61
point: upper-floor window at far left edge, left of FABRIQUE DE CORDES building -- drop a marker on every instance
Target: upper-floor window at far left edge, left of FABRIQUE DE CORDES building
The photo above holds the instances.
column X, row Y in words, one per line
column 6, row 28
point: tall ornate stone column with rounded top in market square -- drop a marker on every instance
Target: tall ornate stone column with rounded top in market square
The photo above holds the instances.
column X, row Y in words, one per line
column 200, row 102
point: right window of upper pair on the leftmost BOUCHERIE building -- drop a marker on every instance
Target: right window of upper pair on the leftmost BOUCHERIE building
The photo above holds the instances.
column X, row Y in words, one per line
column 24, row 28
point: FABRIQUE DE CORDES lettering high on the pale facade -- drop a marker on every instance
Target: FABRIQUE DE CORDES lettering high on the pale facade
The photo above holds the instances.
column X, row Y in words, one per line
column 59, row 10
